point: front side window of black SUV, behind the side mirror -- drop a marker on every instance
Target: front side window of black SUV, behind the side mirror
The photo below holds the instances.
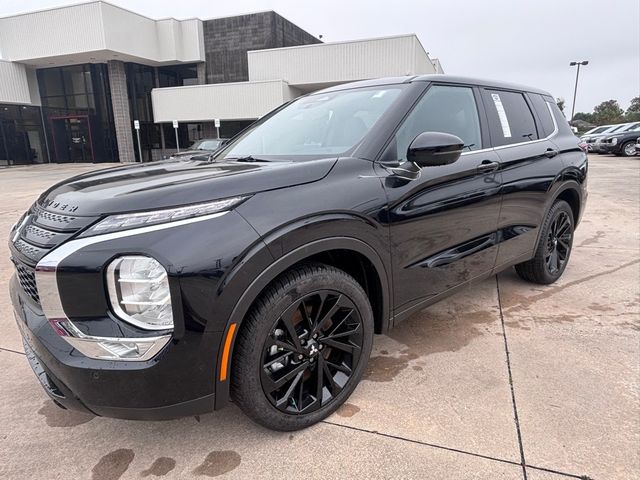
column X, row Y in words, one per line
column 442, row 109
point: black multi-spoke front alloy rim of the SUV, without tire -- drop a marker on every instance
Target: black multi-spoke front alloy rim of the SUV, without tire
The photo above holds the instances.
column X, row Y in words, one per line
column 311, row 352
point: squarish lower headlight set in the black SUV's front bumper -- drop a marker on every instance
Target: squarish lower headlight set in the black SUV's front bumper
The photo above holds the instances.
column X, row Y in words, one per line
column 139, row 292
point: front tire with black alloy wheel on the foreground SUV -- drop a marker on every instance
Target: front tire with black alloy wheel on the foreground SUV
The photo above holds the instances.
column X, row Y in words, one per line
column 277, row 380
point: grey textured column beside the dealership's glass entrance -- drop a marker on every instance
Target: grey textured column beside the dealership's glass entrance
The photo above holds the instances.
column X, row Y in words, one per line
column 121, row 115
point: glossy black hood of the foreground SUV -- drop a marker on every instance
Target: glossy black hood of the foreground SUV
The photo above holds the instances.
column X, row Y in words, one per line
column 175, row 182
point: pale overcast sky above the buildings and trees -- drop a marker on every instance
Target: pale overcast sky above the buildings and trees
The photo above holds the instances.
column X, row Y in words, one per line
column 529, row 42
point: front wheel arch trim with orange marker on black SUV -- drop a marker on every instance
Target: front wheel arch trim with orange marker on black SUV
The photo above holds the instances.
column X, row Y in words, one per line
column 267, row 276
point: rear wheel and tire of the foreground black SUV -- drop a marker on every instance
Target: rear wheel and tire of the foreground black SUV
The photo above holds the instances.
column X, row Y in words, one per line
column 557, row 236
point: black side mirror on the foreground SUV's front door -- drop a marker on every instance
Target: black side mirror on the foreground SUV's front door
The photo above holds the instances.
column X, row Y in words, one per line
column 431, row 149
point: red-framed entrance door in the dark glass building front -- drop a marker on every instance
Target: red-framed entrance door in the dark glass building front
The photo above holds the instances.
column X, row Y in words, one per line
column 72, row 139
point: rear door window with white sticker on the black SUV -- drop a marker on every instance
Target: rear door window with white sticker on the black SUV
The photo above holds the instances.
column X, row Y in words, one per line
column 510, row 118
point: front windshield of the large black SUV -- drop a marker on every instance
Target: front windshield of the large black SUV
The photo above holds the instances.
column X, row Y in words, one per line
column 316, row 125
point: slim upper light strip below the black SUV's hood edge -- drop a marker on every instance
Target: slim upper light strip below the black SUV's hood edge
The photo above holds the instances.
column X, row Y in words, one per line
column 143, row 219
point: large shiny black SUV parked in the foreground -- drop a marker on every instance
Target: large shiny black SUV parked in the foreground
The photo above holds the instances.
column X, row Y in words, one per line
column 261, row 275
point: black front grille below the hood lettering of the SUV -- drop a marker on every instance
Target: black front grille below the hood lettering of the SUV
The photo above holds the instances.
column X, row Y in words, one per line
column 40, row 233
